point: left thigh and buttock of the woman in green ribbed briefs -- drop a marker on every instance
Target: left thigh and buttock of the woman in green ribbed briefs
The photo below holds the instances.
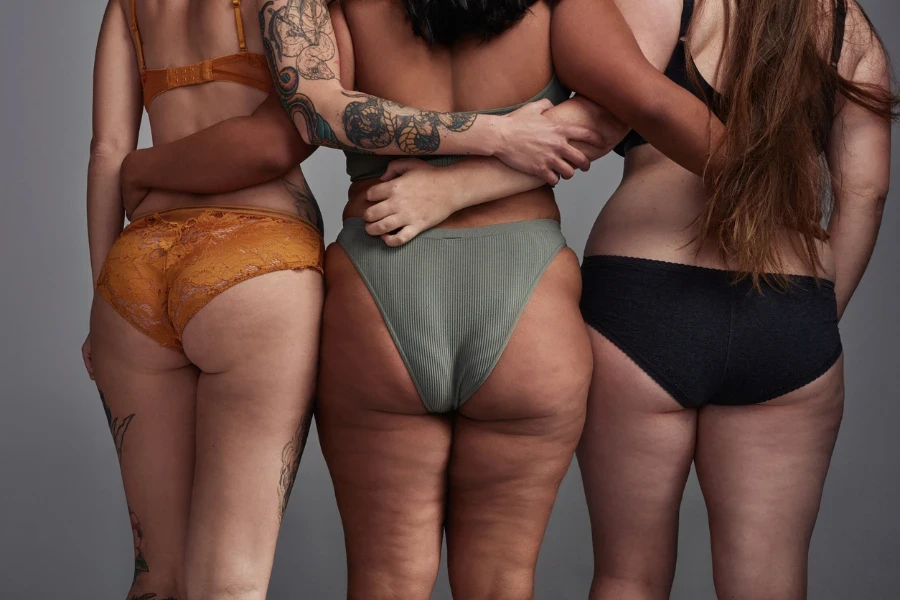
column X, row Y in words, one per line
column 387, row 456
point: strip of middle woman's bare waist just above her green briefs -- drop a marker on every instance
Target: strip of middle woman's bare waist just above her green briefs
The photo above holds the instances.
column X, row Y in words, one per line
column 533, row 205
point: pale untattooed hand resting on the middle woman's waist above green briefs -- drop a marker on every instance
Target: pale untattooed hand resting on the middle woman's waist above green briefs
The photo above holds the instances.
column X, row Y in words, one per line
column 413, row 197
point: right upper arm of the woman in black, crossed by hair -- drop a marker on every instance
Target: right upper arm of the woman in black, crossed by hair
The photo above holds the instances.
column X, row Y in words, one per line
column 859, row 145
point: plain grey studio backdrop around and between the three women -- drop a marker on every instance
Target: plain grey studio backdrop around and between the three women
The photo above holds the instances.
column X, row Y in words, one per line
column 64, row 529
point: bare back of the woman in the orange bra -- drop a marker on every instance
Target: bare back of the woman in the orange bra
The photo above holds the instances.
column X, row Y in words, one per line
column 176, row 33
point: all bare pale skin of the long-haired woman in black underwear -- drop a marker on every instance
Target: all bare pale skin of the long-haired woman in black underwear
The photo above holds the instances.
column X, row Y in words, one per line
column 762, row 468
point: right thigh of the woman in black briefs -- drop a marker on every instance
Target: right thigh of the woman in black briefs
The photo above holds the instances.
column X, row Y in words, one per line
column 762, row 469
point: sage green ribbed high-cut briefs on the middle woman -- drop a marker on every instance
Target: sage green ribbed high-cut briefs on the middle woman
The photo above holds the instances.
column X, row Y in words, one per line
column 452, row 297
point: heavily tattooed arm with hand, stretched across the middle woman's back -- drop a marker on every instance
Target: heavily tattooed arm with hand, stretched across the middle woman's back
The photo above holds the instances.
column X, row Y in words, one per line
column 299, row 40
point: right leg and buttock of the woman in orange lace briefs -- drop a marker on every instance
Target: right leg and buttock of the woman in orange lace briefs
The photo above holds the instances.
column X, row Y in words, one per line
column 257, row 346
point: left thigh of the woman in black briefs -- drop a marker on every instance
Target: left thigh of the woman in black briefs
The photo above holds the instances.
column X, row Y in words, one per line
column 635, row 456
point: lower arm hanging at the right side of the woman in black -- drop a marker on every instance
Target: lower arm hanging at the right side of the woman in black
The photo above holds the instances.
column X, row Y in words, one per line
column 854, row 230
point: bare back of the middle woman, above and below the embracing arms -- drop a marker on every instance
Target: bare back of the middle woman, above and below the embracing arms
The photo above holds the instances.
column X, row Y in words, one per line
column 393, row 63
